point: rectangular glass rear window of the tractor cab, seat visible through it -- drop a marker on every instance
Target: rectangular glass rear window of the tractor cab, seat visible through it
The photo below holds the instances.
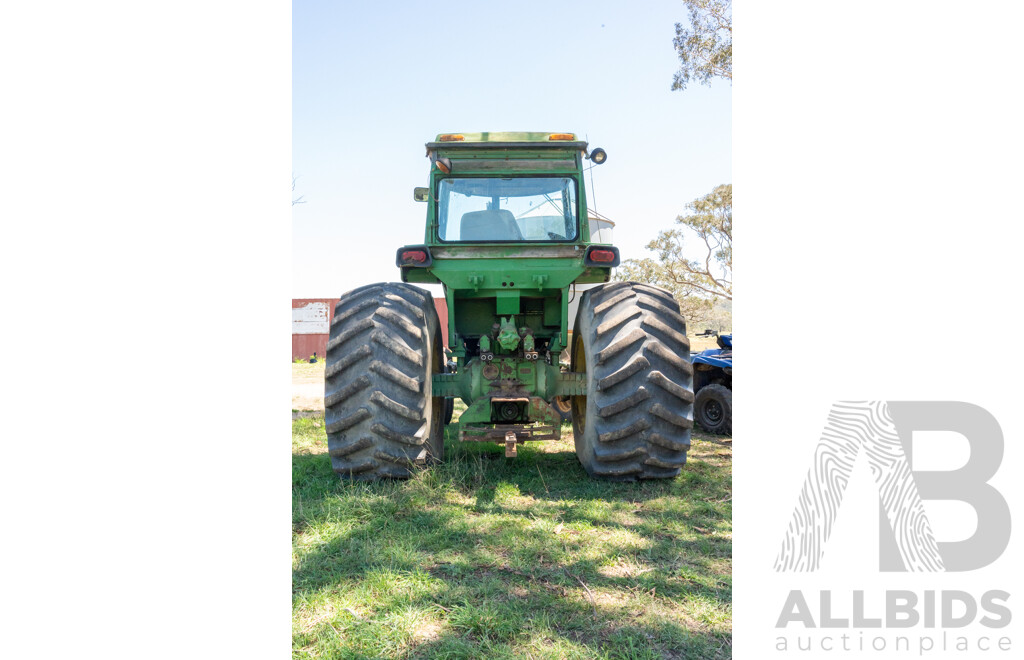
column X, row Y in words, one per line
column 529, row 209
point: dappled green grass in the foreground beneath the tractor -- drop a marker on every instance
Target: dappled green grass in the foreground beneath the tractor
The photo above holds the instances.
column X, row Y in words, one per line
column 485, row 557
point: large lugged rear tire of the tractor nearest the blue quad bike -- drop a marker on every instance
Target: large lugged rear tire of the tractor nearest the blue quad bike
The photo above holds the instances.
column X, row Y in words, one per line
column 635, row 423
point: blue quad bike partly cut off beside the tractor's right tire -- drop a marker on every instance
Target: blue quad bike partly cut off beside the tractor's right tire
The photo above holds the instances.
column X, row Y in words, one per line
column 713, row 385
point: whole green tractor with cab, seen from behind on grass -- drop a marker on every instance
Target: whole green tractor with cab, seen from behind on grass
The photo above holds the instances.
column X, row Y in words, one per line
column 508, row 238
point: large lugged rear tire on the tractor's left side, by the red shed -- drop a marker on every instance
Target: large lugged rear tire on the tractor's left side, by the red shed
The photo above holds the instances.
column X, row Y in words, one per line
column 382, row 420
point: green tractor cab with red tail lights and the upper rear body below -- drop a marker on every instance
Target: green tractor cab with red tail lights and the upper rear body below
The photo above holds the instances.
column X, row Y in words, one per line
column 507, row 235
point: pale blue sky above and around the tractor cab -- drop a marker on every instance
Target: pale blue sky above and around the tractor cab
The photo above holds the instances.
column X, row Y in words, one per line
column 372, row 83
